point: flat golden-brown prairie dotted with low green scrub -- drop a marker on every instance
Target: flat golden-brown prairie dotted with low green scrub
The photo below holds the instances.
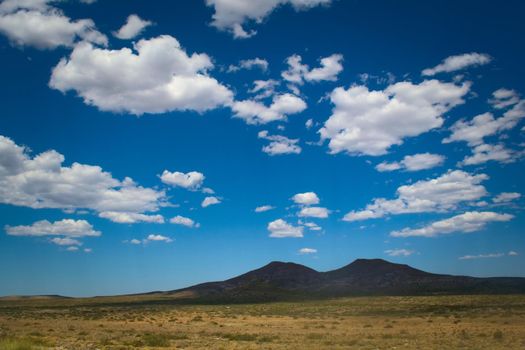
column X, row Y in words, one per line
column 157, row 322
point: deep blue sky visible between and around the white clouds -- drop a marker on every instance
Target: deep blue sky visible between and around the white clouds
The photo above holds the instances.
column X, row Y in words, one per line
column 374, row 37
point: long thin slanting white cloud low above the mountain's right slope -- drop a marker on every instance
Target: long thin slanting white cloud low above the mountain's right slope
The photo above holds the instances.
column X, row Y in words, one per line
column 467, row 222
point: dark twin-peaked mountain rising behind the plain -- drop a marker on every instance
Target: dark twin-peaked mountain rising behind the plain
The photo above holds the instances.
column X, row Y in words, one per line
column 290, row 281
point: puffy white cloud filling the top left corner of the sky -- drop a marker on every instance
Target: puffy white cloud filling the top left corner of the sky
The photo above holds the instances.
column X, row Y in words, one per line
column 37, row 24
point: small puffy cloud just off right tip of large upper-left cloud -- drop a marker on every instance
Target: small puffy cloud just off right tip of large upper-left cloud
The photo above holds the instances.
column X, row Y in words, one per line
column 255, row 112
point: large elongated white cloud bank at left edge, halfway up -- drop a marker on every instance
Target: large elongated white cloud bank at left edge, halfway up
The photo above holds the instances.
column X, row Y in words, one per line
column 43, row 182
